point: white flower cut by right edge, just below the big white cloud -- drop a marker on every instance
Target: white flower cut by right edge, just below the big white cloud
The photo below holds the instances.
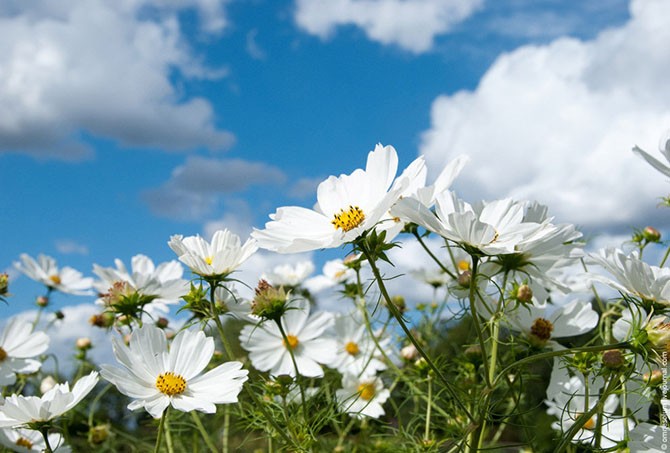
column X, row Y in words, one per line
column 634, row 276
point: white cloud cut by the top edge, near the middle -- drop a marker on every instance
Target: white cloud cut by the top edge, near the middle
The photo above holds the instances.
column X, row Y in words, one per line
column 409, row 24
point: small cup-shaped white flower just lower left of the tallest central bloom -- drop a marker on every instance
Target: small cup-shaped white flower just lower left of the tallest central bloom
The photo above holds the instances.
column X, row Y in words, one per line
column 220, row 258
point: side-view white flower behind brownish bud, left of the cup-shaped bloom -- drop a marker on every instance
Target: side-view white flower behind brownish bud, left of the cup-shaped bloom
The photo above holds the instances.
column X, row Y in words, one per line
column 163, row 284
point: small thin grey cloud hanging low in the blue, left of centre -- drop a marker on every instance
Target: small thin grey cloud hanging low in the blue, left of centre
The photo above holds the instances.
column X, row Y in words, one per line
column 194, row 188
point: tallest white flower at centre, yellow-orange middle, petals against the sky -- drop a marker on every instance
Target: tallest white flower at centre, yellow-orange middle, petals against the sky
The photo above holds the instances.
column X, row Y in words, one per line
column 346, row 207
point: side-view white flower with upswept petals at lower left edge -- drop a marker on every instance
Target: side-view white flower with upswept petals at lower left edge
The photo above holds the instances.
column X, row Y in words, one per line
column 19, row 410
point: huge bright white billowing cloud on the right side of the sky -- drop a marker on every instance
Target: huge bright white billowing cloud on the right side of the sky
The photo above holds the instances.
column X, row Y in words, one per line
column 557, row 122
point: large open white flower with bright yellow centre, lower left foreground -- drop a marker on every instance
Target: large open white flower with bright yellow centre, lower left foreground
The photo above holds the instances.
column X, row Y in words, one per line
column 156, row 377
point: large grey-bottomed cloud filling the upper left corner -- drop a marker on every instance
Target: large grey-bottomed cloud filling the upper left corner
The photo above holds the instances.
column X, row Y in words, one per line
column 105, row 69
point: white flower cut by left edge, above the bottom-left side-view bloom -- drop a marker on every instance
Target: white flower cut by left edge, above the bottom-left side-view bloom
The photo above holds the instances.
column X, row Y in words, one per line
column 18, row 343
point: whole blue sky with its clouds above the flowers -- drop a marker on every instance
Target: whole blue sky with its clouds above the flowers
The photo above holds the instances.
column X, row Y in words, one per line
column 122, row 123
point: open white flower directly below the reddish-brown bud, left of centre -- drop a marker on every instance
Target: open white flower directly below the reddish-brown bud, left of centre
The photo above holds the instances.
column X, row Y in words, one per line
column 306, row 339
